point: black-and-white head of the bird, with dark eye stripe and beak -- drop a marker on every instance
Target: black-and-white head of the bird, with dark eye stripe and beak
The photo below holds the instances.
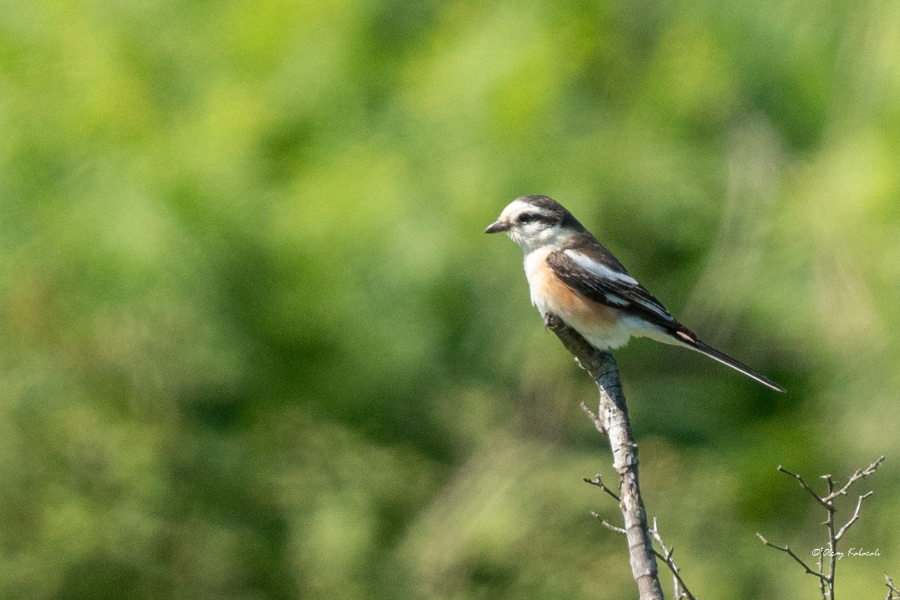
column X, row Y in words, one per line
column 536, row 221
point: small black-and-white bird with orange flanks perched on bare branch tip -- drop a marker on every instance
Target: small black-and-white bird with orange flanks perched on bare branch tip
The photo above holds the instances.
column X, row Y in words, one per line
column 573, row 276
